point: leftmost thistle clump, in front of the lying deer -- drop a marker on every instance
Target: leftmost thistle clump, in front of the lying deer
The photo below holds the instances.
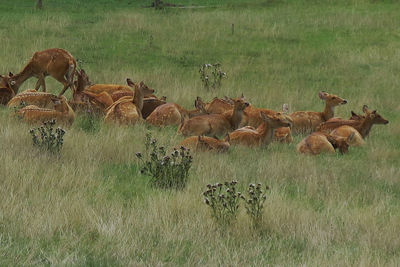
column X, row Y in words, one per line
column 45, row 138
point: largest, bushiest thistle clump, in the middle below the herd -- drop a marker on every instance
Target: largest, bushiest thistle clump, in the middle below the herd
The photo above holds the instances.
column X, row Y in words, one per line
column 165, row 171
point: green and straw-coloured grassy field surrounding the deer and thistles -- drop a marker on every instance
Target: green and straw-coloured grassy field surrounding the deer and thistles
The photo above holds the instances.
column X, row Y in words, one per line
column 92, row 207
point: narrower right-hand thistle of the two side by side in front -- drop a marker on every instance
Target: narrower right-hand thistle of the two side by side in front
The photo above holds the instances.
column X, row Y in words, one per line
column 254, row 203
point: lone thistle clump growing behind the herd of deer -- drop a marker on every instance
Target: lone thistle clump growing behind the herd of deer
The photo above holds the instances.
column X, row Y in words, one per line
column 211, row 75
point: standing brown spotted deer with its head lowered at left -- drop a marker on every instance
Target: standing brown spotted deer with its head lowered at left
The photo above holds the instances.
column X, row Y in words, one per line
column 56, row 62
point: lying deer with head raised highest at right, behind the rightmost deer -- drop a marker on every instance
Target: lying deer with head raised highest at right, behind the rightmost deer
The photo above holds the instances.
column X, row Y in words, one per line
column 308, row 121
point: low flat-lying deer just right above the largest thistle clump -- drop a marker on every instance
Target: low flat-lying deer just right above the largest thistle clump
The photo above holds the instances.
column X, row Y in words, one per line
column 205, row 143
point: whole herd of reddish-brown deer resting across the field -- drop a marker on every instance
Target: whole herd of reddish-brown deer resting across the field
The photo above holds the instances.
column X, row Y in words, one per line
column 232, row 118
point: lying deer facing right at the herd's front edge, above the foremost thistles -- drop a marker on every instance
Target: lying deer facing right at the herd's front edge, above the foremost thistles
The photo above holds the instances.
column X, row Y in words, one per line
column 264, row 134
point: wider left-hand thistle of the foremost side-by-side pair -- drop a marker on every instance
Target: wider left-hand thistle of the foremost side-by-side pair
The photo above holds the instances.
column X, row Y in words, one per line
column 223, row 199
